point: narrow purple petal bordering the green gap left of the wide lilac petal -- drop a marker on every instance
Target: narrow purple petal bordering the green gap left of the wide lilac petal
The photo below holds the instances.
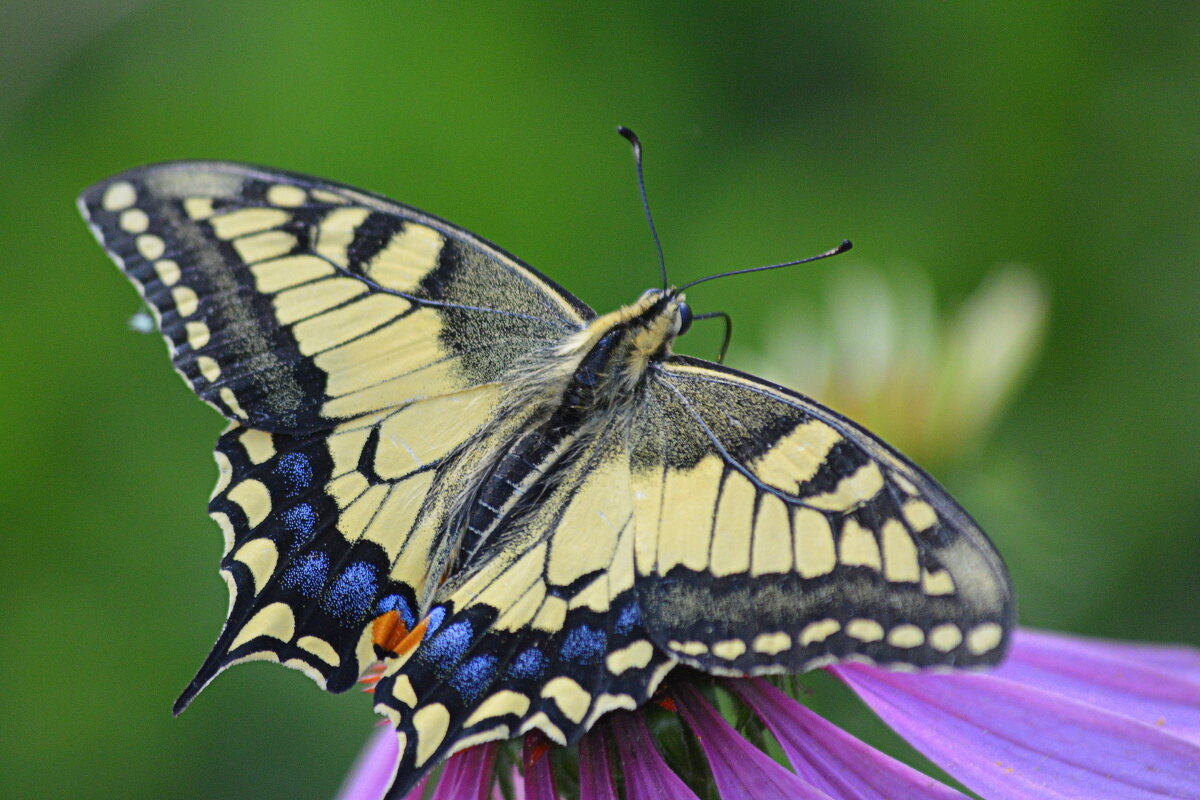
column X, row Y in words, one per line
column 832, row 760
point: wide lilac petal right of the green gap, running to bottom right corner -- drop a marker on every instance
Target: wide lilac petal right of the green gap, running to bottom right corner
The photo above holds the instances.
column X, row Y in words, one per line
column 1007, row 741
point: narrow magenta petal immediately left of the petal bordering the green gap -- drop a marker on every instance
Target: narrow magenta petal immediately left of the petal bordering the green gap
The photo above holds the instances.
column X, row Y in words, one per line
column 741, row 771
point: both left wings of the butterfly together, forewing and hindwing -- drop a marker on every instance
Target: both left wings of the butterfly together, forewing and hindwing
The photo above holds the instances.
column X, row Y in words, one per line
column 355, row 344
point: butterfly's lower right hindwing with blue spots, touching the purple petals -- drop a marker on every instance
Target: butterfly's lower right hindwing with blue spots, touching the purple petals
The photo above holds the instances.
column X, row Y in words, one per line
column 541, row 631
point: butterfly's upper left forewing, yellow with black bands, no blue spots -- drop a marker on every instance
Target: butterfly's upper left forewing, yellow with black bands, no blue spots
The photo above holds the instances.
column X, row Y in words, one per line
column 291, row 303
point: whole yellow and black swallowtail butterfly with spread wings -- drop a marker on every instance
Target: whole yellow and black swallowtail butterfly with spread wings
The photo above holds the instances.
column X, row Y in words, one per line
column 440, row 460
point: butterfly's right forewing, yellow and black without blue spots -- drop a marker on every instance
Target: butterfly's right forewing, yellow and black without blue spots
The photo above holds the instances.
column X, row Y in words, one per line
column 775, row 536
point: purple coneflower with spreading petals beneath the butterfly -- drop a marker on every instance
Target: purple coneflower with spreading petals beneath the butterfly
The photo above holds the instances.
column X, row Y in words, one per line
column 1064, row 718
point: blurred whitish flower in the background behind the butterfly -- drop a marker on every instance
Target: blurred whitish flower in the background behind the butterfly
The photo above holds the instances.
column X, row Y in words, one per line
column 879, row 351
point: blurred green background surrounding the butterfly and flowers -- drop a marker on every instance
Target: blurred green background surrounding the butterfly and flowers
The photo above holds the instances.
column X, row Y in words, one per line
column 1064, row 136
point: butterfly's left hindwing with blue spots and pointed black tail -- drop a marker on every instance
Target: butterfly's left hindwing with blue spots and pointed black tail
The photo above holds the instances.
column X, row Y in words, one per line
column 325, row 534
